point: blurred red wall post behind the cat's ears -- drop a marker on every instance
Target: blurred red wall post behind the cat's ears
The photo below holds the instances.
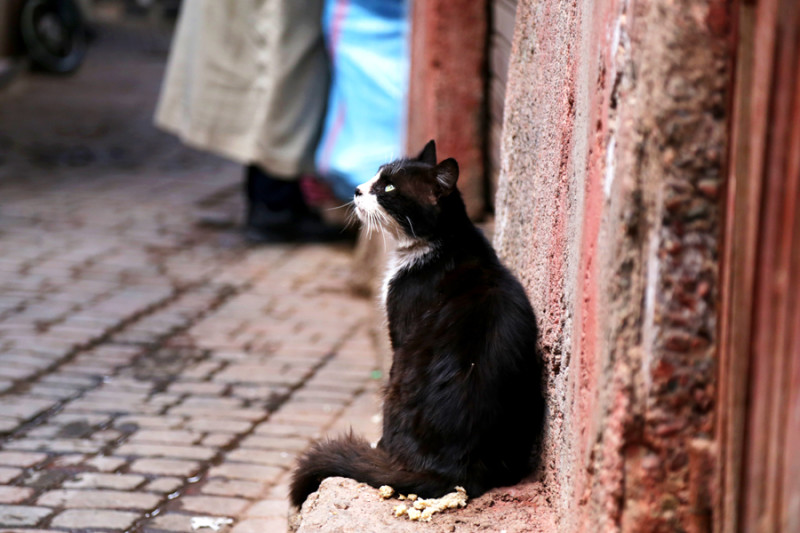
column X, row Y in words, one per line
column 447, row 88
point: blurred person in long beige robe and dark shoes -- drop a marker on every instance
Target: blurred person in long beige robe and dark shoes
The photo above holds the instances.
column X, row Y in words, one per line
column 248, row 80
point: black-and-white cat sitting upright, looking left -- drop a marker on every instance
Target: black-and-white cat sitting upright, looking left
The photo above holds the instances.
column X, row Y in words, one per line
column 464, row 404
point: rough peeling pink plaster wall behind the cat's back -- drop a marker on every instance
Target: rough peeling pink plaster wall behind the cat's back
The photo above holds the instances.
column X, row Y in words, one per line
column 609, row 211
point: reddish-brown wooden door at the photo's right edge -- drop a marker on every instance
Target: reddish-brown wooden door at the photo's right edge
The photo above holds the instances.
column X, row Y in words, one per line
column 759, row 422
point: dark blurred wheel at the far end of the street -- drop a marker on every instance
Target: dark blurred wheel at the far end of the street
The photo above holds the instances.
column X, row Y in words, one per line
column 54, row 34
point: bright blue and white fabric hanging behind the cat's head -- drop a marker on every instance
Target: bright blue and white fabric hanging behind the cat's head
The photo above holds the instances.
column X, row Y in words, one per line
column 365, row 121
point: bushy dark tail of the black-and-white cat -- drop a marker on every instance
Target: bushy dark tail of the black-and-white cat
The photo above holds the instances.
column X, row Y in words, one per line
column 353, row 457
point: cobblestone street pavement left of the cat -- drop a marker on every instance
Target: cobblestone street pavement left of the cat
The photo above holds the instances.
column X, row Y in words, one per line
column 152, row 372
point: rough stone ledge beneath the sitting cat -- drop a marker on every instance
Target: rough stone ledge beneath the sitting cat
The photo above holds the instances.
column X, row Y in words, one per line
column 346, row 506
